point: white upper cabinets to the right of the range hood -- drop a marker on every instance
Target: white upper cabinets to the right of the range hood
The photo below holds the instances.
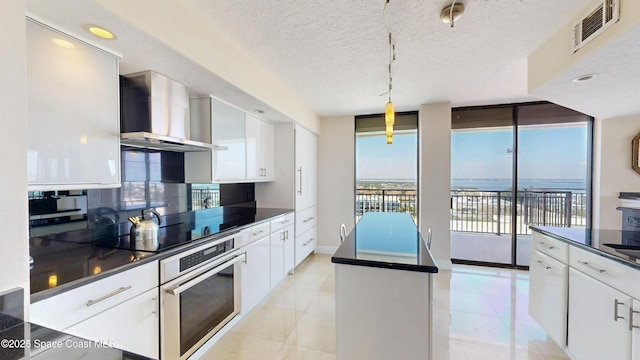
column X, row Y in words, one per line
column 242, row 144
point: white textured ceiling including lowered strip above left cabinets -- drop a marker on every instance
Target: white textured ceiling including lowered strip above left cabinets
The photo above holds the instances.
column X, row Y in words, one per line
column 335, row 52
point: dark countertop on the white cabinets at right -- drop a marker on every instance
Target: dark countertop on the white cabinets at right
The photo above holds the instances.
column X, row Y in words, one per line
column 618, row 245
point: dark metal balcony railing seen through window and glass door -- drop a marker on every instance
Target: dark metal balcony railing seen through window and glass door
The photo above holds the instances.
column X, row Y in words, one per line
column 487, row 211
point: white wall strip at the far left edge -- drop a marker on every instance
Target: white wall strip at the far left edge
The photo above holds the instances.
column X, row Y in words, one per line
column 14, row 268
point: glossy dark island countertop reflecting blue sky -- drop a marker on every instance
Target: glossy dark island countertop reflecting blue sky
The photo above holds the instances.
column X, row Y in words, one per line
column 386, row 240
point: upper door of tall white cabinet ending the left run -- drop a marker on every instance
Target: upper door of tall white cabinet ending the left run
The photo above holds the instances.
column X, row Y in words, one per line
column 306, row 167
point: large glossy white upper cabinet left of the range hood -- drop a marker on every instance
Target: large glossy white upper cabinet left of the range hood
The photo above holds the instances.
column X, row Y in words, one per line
column 73, row 113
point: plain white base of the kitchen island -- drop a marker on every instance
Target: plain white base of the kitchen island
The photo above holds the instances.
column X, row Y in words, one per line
column 383, row 313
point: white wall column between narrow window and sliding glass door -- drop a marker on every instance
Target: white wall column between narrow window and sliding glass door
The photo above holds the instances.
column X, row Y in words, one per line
column 434, row 126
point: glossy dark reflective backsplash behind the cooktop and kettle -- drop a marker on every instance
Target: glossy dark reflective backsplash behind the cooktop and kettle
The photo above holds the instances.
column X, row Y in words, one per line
column 151, row 179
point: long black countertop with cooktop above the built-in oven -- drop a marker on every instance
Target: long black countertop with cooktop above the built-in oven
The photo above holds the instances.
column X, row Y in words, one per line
column 65, row 263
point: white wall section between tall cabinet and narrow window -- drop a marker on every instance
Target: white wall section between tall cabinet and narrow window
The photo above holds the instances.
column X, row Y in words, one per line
column 336, row 180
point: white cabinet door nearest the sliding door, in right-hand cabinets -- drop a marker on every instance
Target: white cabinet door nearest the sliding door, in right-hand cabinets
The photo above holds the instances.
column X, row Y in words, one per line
column 548, row 283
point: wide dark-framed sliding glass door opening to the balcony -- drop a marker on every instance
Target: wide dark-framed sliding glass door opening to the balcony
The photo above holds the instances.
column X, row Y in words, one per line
column 512, row 167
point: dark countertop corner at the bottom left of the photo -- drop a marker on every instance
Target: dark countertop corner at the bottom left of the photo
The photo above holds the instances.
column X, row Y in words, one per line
column 23, row 340
